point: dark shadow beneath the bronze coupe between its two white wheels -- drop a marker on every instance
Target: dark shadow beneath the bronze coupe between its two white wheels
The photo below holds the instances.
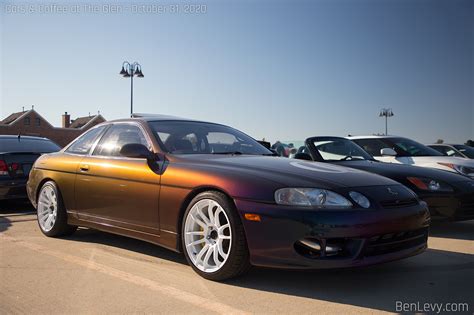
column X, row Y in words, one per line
column 127, row 243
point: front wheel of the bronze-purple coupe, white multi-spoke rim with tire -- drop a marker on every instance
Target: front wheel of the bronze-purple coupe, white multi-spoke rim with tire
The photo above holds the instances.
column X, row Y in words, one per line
column 213, row 237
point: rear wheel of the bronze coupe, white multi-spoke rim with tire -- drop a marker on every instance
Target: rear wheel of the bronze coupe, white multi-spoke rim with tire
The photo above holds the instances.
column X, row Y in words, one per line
column 52, row 217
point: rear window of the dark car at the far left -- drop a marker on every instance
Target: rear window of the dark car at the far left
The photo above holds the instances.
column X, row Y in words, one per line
column 28, row 145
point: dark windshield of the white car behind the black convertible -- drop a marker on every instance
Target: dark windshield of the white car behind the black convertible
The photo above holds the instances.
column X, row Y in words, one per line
column 402, row 146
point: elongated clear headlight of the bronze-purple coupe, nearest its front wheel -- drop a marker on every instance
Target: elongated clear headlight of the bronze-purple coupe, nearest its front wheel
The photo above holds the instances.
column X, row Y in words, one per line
column 311, row 197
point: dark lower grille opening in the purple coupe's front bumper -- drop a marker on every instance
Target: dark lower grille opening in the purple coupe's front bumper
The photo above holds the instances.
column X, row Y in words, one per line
column 394, row 242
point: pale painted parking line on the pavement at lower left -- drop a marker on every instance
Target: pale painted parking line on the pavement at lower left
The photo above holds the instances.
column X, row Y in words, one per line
column 178, row 294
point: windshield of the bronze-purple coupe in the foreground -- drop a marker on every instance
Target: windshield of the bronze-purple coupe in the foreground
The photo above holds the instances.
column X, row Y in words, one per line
column 189, row 137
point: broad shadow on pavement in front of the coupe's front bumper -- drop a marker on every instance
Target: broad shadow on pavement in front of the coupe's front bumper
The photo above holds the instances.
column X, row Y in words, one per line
column 432, row 277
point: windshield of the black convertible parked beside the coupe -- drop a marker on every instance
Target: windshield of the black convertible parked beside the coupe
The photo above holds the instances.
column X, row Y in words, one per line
column 337, row 149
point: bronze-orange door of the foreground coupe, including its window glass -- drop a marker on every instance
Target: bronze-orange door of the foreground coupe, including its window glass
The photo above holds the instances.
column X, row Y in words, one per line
column 118, row 191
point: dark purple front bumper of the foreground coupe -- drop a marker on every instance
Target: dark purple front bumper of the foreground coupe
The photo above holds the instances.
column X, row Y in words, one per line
column 365, row 237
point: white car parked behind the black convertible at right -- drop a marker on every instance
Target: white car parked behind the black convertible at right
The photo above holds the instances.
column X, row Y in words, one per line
column 393, row 149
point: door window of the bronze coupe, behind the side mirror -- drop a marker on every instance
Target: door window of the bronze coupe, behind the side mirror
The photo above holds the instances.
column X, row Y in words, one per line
column 116, row 137
